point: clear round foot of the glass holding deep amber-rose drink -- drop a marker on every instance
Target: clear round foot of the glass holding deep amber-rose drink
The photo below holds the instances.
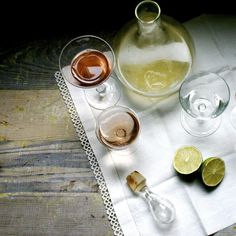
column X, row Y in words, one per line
column 104, row 96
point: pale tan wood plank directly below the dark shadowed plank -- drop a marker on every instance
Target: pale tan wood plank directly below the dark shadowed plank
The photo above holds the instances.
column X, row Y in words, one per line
column 34, row 115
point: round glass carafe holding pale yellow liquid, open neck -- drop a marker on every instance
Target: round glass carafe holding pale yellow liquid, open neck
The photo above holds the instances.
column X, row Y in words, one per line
column 154, row 53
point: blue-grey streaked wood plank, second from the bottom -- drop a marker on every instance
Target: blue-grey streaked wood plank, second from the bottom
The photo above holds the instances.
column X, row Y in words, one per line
column 45, row 167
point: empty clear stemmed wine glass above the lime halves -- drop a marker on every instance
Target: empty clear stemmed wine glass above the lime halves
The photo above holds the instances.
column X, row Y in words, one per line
column 203, row 97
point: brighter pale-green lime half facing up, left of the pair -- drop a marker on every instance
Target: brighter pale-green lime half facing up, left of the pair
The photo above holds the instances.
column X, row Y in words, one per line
column 187, row 160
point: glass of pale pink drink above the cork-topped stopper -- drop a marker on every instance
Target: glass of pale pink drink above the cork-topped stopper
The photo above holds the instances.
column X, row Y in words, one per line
column 118, row 127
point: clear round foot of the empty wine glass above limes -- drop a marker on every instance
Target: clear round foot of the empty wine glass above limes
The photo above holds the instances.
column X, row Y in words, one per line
column 199, row 128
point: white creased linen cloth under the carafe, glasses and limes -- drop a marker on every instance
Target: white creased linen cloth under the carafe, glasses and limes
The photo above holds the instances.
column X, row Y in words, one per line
column 198, row 211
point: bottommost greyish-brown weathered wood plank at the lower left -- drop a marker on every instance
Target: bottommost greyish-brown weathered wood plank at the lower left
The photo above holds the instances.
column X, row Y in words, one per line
column 48, row 214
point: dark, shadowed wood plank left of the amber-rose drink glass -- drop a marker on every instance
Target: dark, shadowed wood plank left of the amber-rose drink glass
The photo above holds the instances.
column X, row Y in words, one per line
column 31, row 65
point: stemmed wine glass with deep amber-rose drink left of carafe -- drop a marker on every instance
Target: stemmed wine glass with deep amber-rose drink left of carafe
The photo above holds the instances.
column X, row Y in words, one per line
column 88, row 62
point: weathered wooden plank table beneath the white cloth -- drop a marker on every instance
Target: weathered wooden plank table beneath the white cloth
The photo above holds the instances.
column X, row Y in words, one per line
column 46, row 185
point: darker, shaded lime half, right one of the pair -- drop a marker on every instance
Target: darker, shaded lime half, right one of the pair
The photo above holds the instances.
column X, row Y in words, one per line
column 213, row 171
